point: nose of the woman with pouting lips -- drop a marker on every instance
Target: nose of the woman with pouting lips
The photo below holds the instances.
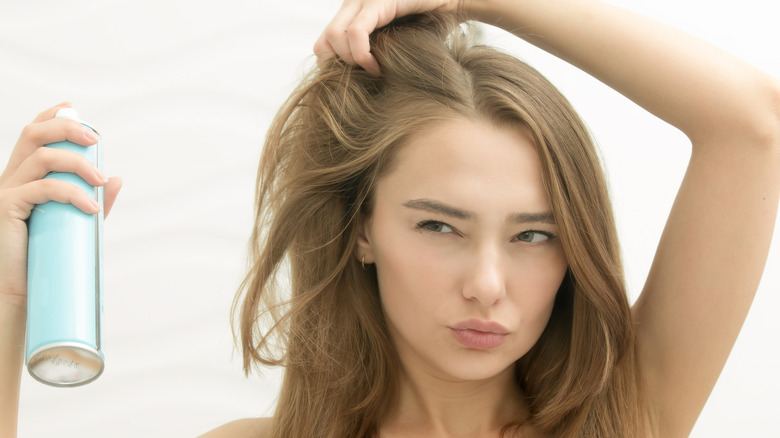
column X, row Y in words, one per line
column 484, row 278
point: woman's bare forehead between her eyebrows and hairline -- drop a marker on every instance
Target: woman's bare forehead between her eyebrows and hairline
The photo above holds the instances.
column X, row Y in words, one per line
column 468, row 162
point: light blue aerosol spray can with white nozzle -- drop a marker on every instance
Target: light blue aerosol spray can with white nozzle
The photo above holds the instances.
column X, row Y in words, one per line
column 65, row 283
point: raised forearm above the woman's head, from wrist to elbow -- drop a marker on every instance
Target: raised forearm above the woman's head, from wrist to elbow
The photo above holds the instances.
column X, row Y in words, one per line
column 688, row 83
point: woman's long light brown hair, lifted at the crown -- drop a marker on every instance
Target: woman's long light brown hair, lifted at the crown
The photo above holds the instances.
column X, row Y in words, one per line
column 308, row 305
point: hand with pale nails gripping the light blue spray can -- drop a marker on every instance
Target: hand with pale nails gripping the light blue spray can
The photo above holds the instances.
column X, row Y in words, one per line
column 22, row 187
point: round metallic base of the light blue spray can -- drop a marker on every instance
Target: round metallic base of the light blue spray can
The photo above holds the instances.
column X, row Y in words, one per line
column 65, row 364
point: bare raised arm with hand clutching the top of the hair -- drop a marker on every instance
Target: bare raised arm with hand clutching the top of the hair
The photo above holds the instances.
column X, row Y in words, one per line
column 713, row 250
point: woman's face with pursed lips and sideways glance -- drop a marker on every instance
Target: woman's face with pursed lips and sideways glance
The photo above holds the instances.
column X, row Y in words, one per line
column 466, row 249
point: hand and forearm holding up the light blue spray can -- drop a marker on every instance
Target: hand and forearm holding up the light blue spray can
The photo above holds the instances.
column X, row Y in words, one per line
column 21, row 188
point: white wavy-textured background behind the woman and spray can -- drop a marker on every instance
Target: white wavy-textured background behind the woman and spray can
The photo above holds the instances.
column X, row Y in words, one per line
column 183, row 91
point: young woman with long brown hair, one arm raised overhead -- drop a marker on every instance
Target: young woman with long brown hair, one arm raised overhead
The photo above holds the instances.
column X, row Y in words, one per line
column 440, row 215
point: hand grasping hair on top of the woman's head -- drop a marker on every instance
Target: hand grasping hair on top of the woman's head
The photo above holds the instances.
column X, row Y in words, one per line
column 347, row 34
